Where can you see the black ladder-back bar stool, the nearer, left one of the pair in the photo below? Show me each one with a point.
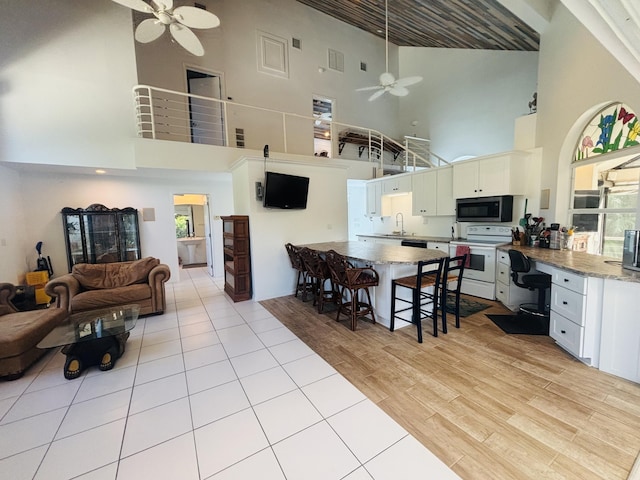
(425, 294)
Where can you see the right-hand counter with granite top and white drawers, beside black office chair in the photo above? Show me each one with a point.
(594, 308)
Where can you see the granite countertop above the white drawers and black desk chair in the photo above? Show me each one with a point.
(579, 262)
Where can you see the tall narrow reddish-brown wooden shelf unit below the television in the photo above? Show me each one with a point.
(237, 257)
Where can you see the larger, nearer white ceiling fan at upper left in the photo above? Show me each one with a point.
(180, 21)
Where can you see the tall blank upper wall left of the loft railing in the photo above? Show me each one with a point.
(67, 72)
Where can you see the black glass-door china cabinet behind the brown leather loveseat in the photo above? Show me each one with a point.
(98, 234)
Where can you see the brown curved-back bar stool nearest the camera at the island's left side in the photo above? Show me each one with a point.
(352, 279)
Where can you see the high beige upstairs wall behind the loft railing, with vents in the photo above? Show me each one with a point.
(231, 51)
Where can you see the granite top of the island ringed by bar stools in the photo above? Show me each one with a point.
(379, 254)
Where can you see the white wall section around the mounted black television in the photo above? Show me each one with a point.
(324, 219)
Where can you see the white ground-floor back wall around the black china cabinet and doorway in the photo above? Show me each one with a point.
(49, 193)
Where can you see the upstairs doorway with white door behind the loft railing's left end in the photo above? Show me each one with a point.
(206, 117)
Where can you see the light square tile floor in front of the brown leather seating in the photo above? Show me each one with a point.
(208, 390)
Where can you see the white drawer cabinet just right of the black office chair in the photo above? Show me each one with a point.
(576, 314)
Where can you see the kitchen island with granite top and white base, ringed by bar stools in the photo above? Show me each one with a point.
(390, 261)
